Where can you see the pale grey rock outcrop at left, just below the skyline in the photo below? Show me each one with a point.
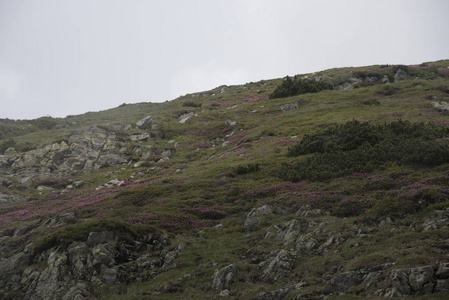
(92, 148)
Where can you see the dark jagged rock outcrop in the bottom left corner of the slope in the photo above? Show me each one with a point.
(74, 272)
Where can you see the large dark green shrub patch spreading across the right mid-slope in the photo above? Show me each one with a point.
(360, 147)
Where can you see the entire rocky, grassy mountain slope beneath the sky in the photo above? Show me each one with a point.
(194, 204)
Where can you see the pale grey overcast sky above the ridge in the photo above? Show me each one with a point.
(67, 57)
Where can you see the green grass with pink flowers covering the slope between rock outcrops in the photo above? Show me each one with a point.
(231, 156)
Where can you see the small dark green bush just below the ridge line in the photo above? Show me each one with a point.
(297, 86)
